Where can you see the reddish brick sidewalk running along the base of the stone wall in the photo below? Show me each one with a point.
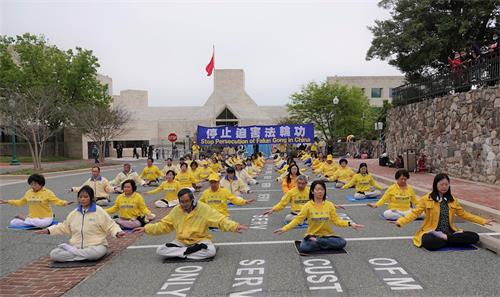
(483, 194)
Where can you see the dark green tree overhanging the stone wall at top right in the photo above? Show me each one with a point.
(421, 34)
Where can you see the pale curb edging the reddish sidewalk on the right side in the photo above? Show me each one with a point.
(486, 242)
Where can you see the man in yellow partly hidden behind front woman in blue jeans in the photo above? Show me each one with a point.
(297, 196)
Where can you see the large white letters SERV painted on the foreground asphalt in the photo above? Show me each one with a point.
(249, 279)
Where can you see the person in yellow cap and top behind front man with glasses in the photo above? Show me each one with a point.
(217, 197)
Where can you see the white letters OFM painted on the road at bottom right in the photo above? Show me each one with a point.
(391, 272)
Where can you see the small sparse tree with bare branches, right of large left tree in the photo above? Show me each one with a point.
(100, 123)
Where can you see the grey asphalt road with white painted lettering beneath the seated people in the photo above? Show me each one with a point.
(381, 259)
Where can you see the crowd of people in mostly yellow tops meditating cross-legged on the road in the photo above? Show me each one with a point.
(191, 219)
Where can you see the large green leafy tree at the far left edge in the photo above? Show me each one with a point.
(37, 73)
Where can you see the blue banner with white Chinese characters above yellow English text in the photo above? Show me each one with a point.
(244, 135)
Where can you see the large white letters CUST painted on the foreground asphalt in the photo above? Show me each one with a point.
(321, 278)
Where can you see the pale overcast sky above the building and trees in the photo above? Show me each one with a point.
(164, 46)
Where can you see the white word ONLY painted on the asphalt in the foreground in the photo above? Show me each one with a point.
(180, 281)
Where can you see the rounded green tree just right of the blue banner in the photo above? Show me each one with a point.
(314, 104)
